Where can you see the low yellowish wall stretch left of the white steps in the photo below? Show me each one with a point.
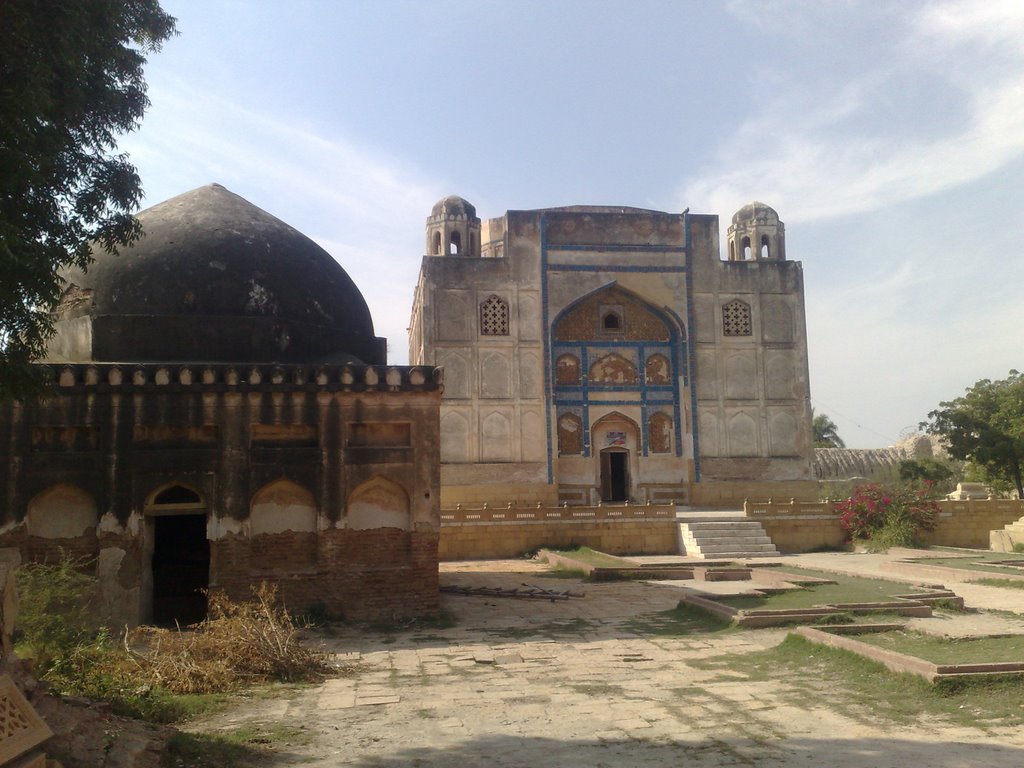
(476, 533)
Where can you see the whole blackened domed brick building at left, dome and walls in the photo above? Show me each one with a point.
(224, 415)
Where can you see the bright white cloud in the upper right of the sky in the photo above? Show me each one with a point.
(821, 157)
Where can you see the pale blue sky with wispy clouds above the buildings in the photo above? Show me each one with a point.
(888, 136)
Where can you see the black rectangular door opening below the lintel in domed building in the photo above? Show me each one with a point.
(181, 569)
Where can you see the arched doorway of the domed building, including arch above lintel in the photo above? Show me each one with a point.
(179, 554)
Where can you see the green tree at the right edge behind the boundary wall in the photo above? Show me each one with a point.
(987, 428)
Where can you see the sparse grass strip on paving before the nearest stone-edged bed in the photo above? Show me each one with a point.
(812, 675)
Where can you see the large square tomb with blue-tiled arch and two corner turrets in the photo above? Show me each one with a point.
(608, 355)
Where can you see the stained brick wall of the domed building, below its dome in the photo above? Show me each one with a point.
(322, 480)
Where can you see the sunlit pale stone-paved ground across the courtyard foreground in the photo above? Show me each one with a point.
(577, 684)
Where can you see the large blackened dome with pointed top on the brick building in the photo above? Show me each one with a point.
(215, 279)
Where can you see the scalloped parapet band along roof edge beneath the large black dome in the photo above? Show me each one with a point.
(243, 377)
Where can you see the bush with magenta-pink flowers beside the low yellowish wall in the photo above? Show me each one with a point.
(888, 519)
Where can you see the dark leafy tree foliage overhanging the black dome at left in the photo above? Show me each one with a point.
(71, 82)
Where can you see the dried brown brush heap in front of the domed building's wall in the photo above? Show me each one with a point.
(240, 645)
